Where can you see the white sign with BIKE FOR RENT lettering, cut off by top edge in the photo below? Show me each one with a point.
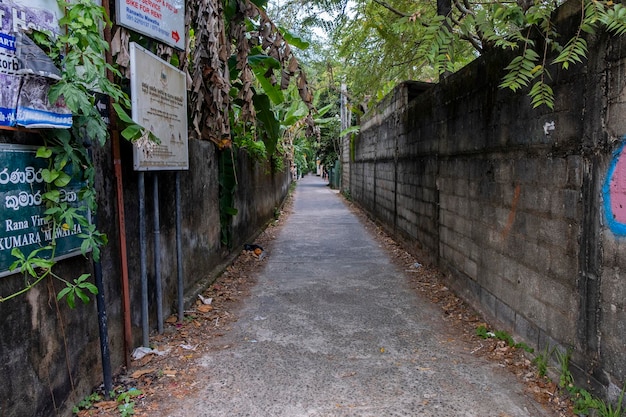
(163, 20)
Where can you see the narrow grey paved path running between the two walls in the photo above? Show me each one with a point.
(332, 329)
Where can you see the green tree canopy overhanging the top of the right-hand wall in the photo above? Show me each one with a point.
(374, 44)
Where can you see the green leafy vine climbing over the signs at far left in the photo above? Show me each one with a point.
(80, 52)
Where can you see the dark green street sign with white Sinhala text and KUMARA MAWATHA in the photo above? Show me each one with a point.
(22, 219)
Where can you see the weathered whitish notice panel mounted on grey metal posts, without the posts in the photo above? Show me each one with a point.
(159, 103)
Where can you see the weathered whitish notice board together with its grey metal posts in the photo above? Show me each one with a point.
(159, 103)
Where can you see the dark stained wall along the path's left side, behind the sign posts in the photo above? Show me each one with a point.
(50, 353)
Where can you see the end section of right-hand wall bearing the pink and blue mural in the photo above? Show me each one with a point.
(609, 275)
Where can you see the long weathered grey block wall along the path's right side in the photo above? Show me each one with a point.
(520, 207)
